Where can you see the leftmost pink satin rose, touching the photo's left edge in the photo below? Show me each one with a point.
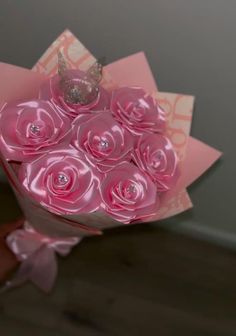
(29, 129)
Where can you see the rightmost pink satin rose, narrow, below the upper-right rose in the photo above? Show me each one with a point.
(154, 154)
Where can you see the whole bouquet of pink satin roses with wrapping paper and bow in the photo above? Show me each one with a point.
(88, 147)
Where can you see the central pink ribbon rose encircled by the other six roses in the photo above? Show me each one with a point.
(103, 140)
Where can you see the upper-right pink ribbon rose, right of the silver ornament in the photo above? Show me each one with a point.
(137, 111)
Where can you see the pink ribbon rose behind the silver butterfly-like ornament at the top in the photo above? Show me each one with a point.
(52, 90)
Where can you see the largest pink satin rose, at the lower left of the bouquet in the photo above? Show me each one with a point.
(62, 181)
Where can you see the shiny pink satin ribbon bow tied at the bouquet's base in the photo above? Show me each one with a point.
(37, 254)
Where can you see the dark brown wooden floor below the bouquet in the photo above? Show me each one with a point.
(140, 280)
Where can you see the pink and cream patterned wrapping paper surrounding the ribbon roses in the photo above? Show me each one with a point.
(195, 156)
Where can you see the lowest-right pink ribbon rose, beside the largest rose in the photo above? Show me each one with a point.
(129, 194)
